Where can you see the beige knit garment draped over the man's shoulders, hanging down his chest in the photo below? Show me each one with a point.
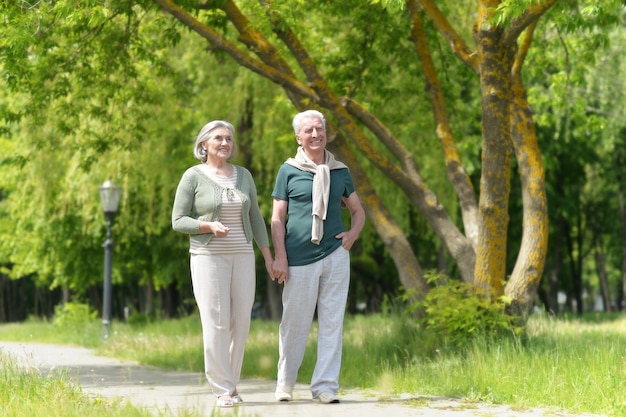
(321, 187)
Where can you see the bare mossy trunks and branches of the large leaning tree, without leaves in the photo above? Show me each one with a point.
(506, 126)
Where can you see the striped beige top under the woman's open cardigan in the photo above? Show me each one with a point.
(235, 241)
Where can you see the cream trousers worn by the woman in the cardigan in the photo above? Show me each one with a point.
(224, 287)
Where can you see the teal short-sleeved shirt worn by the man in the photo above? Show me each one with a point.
(296, 187)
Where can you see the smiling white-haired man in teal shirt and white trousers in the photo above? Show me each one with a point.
(311, 249)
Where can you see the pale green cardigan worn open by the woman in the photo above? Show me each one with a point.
(198, 198)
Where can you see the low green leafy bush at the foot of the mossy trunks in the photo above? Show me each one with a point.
(454, 314)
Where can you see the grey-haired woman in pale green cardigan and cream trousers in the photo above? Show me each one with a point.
(216, 205)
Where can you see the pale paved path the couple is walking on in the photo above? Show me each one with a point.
(157, 389)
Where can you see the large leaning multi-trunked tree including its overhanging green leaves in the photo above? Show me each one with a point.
(383, 53)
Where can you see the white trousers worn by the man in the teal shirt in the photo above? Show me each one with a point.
(323, 284)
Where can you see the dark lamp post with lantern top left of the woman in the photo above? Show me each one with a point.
(110, 197)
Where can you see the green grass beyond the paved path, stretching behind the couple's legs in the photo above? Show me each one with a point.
(576, 364)
